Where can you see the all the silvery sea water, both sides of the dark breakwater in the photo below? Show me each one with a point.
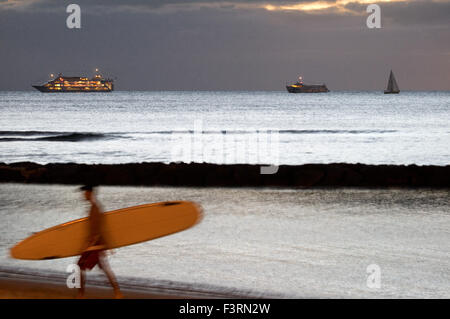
(293, 243)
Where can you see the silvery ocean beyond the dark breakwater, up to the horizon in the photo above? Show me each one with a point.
(226, 127)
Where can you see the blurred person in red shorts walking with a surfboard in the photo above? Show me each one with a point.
(94, 252)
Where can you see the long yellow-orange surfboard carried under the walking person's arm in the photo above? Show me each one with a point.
(122, 227)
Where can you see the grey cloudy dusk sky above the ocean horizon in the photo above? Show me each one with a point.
(227, 45)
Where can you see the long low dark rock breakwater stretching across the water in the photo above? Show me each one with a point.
(229, 175)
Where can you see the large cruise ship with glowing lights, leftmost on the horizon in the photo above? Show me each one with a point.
(69, 84)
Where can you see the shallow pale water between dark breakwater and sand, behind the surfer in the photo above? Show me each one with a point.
(255, 242)
